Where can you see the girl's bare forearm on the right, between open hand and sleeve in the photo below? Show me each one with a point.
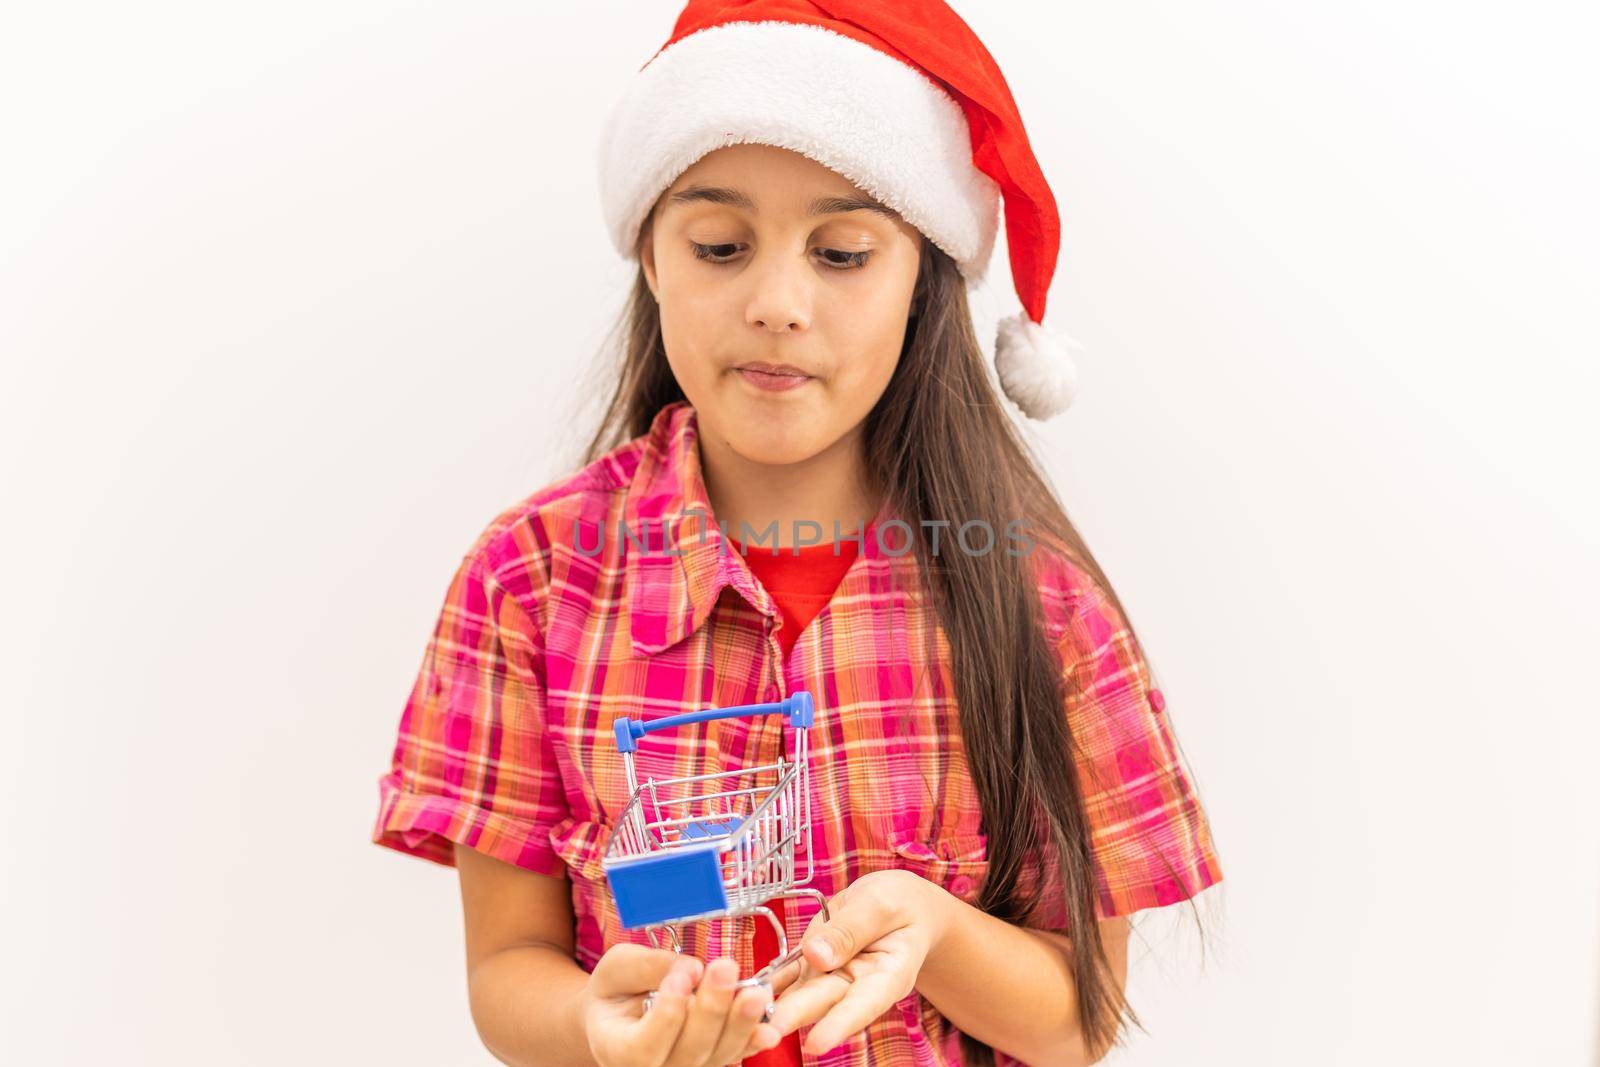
(1007, 986)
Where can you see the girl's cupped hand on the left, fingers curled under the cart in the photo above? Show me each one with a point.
(694, 1021)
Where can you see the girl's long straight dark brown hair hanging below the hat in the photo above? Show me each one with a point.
(942, 446)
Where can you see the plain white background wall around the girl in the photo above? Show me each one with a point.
(295, 297)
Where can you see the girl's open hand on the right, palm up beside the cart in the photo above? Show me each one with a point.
(868, 957)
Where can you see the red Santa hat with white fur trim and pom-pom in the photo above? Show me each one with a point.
(900, 98)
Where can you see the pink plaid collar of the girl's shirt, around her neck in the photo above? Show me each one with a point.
(676, 557)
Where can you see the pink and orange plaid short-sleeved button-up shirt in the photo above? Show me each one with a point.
(506, 740)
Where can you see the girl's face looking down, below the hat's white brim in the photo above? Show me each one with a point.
(764, 257)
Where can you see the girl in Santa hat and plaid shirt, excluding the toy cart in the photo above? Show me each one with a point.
(996, 788)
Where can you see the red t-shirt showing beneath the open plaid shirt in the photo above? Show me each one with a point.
(802, 583)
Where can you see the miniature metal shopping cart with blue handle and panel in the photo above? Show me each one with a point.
(714, 845)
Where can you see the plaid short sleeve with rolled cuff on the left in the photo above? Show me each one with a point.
(473, 762)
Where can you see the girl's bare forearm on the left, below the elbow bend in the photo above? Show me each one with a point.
(527, 1007)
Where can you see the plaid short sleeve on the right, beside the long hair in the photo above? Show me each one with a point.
(1150, 839)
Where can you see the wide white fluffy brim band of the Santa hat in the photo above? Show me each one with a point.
(846, 105)
